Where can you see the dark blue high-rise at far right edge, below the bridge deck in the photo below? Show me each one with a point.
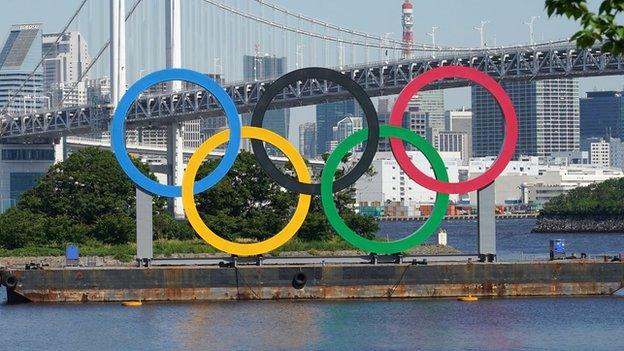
(602, 115)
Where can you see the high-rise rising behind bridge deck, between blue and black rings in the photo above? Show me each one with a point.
(259, 67)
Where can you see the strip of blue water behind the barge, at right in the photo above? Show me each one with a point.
(514, 239)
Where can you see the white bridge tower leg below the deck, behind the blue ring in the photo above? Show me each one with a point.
(175, 165)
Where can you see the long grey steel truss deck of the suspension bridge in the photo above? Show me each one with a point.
(378, 79)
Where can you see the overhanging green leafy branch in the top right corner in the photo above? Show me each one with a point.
(598, 26)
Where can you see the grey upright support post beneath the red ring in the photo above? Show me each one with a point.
(486, 219)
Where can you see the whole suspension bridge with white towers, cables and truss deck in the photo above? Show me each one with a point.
(380, 64)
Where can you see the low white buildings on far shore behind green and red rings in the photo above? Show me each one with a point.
(527, 181)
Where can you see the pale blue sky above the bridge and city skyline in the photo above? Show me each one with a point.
(455, 20)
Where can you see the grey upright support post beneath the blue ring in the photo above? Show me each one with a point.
(145, 237)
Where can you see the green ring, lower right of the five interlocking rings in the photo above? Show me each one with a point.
(402, 245)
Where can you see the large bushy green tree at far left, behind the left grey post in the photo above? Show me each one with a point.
(85, 197)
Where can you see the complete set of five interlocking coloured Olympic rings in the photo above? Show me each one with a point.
(303, 184)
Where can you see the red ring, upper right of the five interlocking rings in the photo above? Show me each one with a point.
(511, 129)
